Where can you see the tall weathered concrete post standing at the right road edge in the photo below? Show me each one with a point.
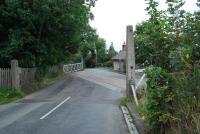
(130, 60)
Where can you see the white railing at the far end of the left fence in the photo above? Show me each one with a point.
(73, 67)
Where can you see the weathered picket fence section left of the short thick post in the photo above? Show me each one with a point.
(5, 77)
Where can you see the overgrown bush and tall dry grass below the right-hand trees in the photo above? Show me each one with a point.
(173, 101)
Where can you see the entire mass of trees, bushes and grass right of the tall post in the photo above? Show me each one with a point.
(170, 40)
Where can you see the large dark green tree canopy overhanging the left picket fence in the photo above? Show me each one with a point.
(42, 32)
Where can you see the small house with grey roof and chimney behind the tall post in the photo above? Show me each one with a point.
(119, 60)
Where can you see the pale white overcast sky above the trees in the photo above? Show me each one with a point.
(112, 17)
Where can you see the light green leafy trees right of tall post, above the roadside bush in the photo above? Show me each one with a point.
(169, 38)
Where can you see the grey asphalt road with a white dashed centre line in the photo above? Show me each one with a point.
(84, 103)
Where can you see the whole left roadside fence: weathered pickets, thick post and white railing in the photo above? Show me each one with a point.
(16, 77)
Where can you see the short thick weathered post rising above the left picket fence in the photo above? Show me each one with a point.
(15, 74)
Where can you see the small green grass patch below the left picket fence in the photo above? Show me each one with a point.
(8, 95)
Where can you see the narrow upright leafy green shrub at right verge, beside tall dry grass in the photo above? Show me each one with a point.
(159, 98)
